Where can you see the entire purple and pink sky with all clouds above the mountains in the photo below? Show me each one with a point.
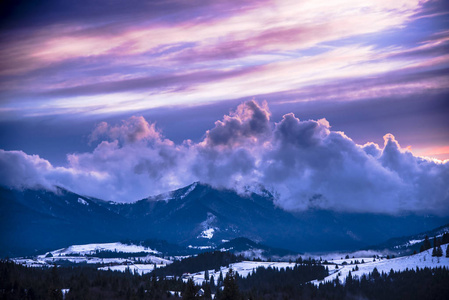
(338, 105)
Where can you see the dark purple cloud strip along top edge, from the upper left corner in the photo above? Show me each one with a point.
(30, 13)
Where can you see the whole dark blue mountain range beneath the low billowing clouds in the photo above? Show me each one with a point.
(197, 216)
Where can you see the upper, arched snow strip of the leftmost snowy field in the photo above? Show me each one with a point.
(92, 248)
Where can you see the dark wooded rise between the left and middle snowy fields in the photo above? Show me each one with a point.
(204, 261)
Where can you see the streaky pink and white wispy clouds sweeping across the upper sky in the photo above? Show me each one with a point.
(197, 51)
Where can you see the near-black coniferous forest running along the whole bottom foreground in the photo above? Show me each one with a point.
(19, 282)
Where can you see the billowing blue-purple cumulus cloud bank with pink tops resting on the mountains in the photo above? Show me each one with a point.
(303, 162)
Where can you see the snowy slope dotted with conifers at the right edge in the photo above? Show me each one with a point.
(420, 260)
